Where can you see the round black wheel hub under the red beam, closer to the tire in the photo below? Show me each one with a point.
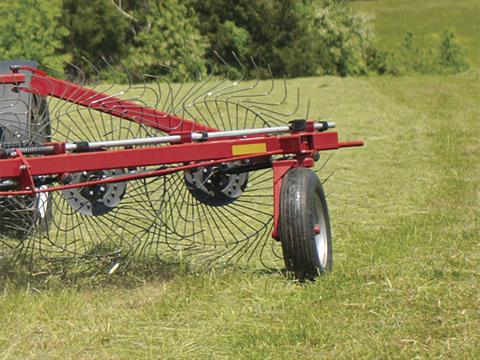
(216, 185)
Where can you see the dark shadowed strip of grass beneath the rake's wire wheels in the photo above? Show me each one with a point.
(127, 272)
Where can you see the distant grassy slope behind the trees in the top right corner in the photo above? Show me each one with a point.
(429, 18)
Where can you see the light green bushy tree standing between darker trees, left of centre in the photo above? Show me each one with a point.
(167, 37)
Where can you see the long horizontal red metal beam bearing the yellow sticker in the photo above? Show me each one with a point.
(181, 153)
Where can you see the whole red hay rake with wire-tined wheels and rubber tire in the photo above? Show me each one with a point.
(101, 176)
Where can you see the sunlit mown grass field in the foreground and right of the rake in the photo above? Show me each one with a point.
(406, 281)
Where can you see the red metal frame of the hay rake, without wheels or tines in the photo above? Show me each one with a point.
(187, 145)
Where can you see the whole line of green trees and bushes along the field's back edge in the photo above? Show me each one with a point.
(286, 37)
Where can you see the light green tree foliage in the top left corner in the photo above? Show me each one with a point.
(30, 30)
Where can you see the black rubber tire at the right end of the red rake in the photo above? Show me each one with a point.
(298, 217)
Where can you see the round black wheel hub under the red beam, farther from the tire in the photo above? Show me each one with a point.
(97, 199)
